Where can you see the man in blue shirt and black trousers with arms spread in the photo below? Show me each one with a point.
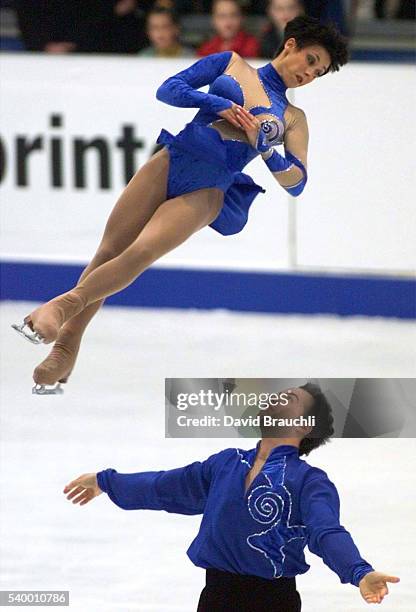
(260, 509)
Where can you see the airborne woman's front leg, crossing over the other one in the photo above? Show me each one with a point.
(173, 222)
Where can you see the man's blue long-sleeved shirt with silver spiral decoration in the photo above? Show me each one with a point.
(262, 531)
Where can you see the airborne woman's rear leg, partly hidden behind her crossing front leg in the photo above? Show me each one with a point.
(139, 200)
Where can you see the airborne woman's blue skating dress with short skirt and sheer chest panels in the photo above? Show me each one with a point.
(209, 151)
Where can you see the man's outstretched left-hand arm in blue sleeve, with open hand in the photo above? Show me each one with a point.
(181, 490)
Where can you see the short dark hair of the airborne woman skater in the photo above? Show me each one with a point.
(309, 31)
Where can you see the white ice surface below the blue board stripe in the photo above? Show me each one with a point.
(112, 415)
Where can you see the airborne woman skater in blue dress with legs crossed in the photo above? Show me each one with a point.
(196, 179)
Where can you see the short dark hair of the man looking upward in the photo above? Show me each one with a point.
(323, 429)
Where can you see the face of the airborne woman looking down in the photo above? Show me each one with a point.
(301, 66)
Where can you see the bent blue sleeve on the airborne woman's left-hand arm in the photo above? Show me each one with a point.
(182, 88)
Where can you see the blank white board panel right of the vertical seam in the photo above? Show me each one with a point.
(360, 199)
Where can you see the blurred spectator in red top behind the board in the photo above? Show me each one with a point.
(227, 19)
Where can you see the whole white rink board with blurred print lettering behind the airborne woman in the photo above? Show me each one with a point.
(357, 211)
